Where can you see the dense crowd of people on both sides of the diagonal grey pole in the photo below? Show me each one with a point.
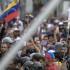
(48, 49)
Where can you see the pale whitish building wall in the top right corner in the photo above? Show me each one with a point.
(63, 7)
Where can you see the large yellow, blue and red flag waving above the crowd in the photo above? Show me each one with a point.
(11, 11)
